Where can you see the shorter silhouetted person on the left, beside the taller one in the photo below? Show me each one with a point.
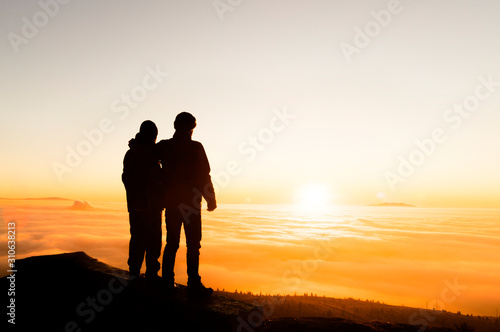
(141, 177)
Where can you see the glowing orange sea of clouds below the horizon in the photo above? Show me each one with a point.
(396, 255)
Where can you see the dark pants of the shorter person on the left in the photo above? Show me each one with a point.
(145, 239)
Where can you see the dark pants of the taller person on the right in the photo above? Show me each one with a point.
(176, 215)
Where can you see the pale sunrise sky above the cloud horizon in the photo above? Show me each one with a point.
(366, 101)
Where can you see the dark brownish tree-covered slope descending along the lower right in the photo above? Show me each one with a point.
(362, 311)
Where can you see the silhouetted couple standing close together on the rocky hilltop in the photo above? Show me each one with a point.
(173, 174)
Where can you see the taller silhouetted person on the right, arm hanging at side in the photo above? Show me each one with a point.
(187, 179)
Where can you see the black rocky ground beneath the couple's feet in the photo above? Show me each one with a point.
(75, 292)
